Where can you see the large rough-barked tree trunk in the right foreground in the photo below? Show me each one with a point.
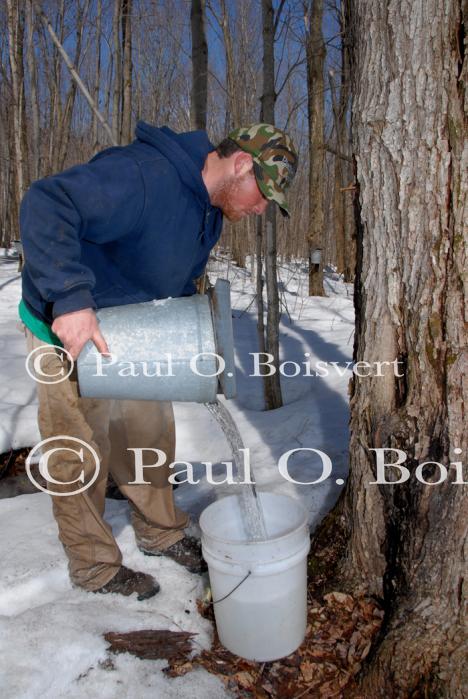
(406, 541)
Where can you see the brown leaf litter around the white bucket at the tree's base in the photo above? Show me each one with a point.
(339, 635)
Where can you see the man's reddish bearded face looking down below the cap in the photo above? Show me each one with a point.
(239, 196)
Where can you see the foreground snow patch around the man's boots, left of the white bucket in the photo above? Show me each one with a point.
(51, 635)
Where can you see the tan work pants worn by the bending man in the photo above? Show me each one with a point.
(110, 428)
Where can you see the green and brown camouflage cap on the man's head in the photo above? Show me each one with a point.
(274, 159)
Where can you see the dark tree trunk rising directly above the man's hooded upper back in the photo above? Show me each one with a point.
(199, 65)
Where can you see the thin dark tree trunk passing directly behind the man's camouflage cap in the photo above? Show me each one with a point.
(273, 397)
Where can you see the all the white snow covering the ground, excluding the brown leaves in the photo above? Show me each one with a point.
(51, 642)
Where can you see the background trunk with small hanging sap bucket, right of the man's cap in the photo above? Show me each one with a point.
(315, 51)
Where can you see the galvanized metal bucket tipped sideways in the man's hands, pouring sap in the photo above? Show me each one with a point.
(178, 349)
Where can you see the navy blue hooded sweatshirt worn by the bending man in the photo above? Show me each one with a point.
(134, 224)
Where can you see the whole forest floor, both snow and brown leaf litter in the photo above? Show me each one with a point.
(44, 619)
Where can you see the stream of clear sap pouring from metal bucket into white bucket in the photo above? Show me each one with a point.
(253, 518)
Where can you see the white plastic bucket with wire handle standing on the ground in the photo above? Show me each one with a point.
(259, 588)
